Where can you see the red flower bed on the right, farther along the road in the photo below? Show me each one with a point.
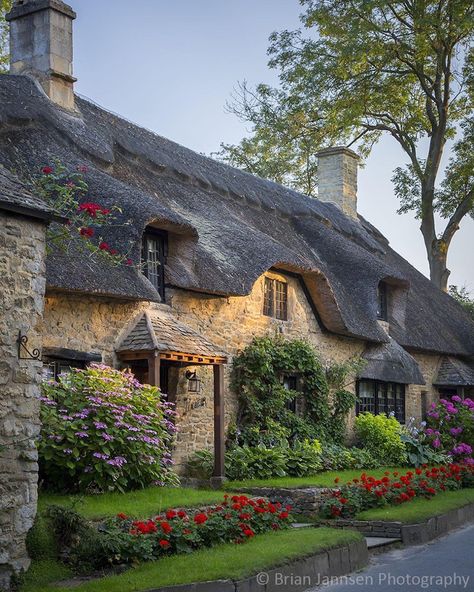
(393, 488)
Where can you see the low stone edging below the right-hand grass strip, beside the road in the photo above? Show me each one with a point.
(410, 534)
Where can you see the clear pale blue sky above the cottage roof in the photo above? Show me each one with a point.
(171, 66)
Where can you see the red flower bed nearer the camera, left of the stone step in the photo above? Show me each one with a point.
(236, 519)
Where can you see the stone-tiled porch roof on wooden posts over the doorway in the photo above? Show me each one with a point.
(161, 331)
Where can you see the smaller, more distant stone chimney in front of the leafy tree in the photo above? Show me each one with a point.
(337, 174)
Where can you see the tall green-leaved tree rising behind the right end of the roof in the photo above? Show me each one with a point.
(362, 68)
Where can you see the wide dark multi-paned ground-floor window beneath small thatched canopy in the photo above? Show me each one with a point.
(387, 397)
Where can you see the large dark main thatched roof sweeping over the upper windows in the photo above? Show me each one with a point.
(226, 227)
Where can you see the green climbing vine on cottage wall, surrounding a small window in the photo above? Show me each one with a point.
(267, 405)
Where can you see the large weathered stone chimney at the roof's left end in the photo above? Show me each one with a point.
(41, 46)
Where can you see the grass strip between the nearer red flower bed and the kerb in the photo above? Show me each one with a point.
(227, 561)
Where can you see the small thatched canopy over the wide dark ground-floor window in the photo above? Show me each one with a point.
(391, 363)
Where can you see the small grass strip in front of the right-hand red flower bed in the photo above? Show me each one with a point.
(419, 510)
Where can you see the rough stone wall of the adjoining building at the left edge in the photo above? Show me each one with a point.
(22, 273)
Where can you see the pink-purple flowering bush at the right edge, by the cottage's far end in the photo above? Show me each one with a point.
(451, 428)
